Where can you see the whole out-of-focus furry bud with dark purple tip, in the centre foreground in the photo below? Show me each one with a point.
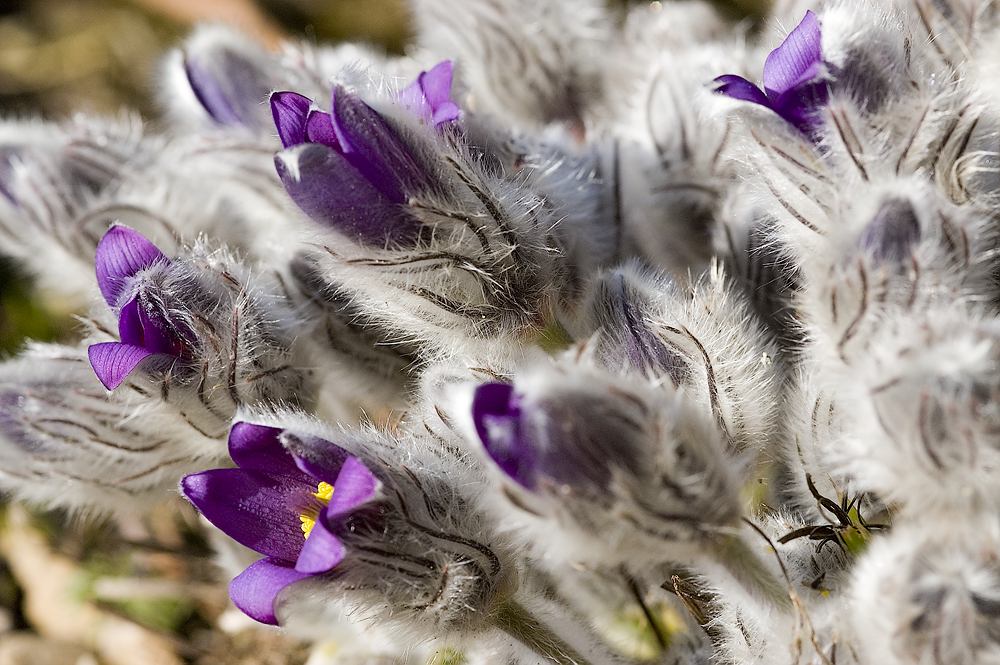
(593, 456)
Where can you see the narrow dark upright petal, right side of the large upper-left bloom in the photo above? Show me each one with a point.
(375, 149)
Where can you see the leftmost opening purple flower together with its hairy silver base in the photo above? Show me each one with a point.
(205, 334)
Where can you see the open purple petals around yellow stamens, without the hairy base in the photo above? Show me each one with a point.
(282, 506)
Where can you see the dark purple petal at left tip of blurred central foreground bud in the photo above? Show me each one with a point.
(496, 415)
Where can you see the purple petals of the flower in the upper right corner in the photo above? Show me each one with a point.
(794, 86)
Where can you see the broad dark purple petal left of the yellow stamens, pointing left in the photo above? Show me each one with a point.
(258, 509)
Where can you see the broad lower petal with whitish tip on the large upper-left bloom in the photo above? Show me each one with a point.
(333, 193)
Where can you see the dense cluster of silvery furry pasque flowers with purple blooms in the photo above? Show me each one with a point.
(560, 319)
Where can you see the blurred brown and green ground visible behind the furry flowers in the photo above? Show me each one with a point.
(80, 592)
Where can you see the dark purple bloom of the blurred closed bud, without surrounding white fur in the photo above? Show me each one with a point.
(568, 435)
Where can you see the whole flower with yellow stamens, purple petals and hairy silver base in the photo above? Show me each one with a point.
(384, 514)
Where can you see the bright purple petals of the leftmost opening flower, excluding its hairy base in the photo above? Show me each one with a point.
(144, 330)
